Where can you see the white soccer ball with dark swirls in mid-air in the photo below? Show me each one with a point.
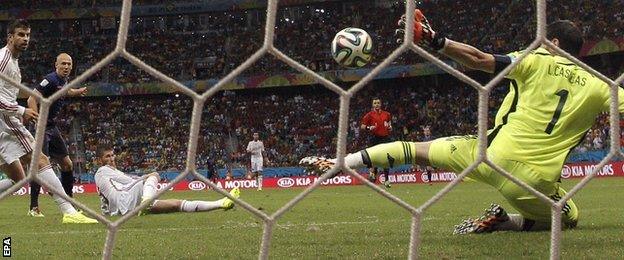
(352, 47)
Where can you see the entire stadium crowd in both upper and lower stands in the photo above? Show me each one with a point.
(152, 132)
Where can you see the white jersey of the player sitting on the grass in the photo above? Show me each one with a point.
(119, 192)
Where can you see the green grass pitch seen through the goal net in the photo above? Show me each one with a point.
(331, 223)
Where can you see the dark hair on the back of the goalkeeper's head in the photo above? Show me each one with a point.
(569, 35)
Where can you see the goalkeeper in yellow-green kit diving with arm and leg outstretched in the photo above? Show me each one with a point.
(550, 105)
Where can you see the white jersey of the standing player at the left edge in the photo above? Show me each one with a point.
(9, 67)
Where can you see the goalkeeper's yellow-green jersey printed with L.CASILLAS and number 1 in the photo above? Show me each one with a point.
(551, 104)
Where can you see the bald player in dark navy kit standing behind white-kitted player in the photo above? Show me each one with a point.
(53, 144)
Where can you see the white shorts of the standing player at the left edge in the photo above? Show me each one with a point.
(15, 140)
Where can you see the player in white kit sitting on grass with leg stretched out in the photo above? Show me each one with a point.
(120, 192)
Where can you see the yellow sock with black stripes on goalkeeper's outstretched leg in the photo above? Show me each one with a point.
(389, 155)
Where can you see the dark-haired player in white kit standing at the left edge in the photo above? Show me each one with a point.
(15, 141)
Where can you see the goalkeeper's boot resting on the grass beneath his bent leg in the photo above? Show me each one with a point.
(493, 216)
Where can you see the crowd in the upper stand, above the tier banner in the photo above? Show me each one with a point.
(209, 45)
